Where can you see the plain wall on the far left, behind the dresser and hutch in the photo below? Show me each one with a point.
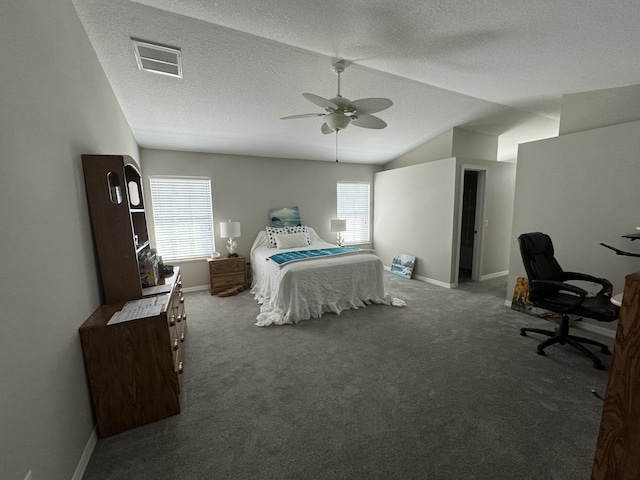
(55, 104)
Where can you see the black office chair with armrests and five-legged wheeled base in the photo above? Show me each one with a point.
(548, 290)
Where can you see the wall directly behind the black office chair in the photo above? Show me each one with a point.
(582, 189)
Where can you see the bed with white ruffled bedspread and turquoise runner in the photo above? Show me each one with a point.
(301, 289)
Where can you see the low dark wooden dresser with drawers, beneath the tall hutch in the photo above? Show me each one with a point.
(134, 367)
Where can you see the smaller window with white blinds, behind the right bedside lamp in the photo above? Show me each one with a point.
(353, 206)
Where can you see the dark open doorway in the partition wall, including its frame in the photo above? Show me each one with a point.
(471, 213)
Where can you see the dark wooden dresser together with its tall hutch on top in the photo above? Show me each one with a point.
(134, 367)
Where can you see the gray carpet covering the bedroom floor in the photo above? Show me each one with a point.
(445, 388)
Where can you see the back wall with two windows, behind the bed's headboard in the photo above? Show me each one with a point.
(245, 188)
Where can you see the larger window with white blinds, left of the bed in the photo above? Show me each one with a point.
(183, 217)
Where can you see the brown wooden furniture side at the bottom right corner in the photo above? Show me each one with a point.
(618, 450)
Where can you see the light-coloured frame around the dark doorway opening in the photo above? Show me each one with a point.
(480, 222)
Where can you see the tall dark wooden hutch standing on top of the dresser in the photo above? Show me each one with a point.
(116, 204)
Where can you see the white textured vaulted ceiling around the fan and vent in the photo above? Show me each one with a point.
(493, 66)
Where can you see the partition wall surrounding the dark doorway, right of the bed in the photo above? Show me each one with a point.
(416, 212)
